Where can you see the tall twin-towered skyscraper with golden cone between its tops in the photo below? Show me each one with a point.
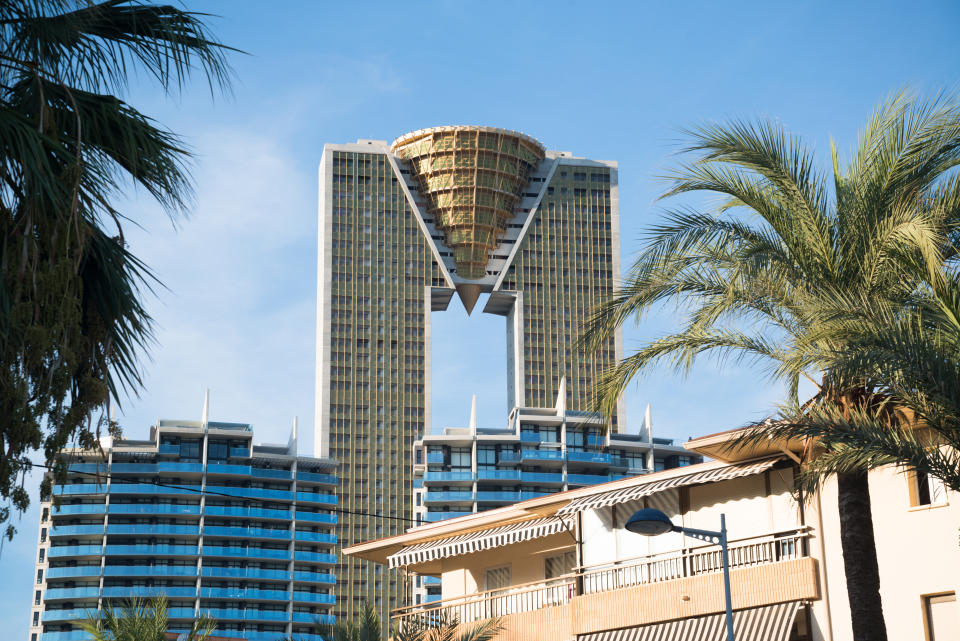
(404, 227)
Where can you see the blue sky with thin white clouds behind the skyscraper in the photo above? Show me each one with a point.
(601, 79)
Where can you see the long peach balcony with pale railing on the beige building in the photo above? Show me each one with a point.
(587, 594)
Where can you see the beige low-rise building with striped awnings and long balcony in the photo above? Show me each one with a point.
(562, 567)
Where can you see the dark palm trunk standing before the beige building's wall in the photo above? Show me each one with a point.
(860, 557)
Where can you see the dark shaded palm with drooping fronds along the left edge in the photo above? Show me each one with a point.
(72, 320)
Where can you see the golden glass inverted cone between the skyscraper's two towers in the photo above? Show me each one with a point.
(471, 179)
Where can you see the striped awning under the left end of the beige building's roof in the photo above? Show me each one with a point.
(477, 541)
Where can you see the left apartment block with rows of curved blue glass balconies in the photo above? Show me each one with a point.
(196, 513)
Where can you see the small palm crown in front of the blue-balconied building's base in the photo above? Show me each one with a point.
(139, 620)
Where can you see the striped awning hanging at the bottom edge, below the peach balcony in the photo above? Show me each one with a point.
(767, 623)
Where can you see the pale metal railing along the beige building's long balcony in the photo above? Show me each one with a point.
(761, 550)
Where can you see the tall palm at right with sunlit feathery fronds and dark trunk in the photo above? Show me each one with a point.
(757, 273)
